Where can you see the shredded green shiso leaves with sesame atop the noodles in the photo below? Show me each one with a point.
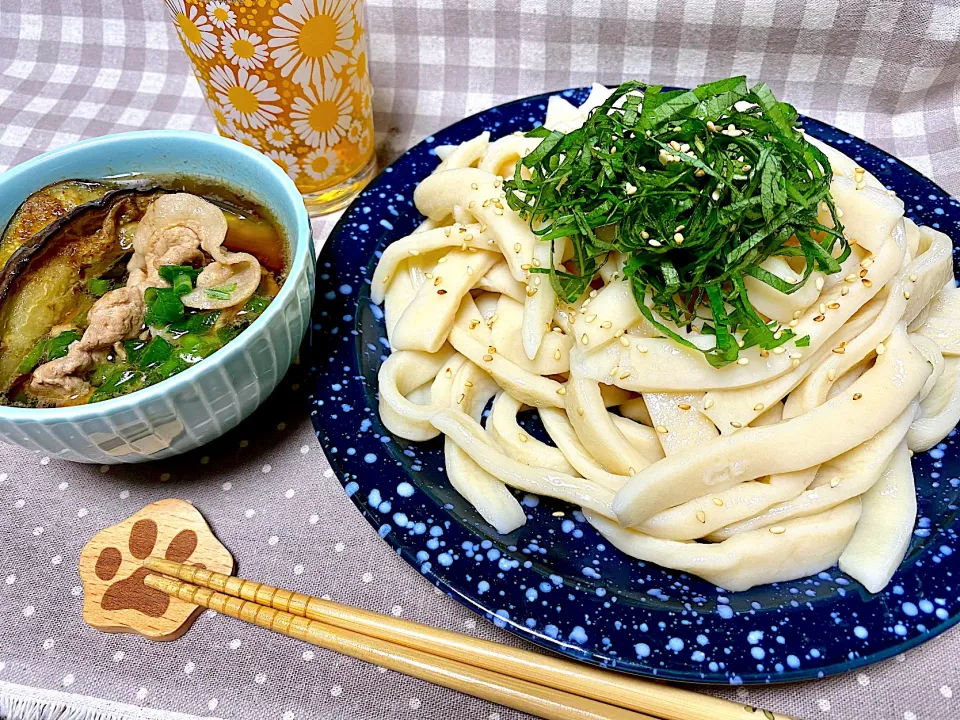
(696, 192)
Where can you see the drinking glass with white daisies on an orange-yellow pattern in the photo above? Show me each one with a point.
(289, 78)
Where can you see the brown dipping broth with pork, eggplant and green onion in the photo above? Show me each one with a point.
(108, 287)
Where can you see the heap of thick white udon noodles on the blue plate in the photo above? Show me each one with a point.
(770, 469)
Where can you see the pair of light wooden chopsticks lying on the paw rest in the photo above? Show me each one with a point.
(537, 684)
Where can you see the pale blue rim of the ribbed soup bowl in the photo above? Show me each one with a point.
(301, 256)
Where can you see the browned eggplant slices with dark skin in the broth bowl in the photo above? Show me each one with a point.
(42, 282)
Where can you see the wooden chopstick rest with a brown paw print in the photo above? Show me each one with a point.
(115, 598)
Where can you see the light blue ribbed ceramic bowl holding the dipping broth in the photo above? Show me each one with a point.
(210, 398)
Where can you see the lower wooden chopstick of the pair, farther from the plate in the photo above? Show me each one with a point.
(513, 692)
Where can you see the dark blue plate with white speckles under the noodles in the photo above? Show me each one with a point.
(554, 581)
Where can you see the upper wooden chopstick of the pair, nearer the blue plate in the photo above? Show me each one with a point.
(663, 701)
